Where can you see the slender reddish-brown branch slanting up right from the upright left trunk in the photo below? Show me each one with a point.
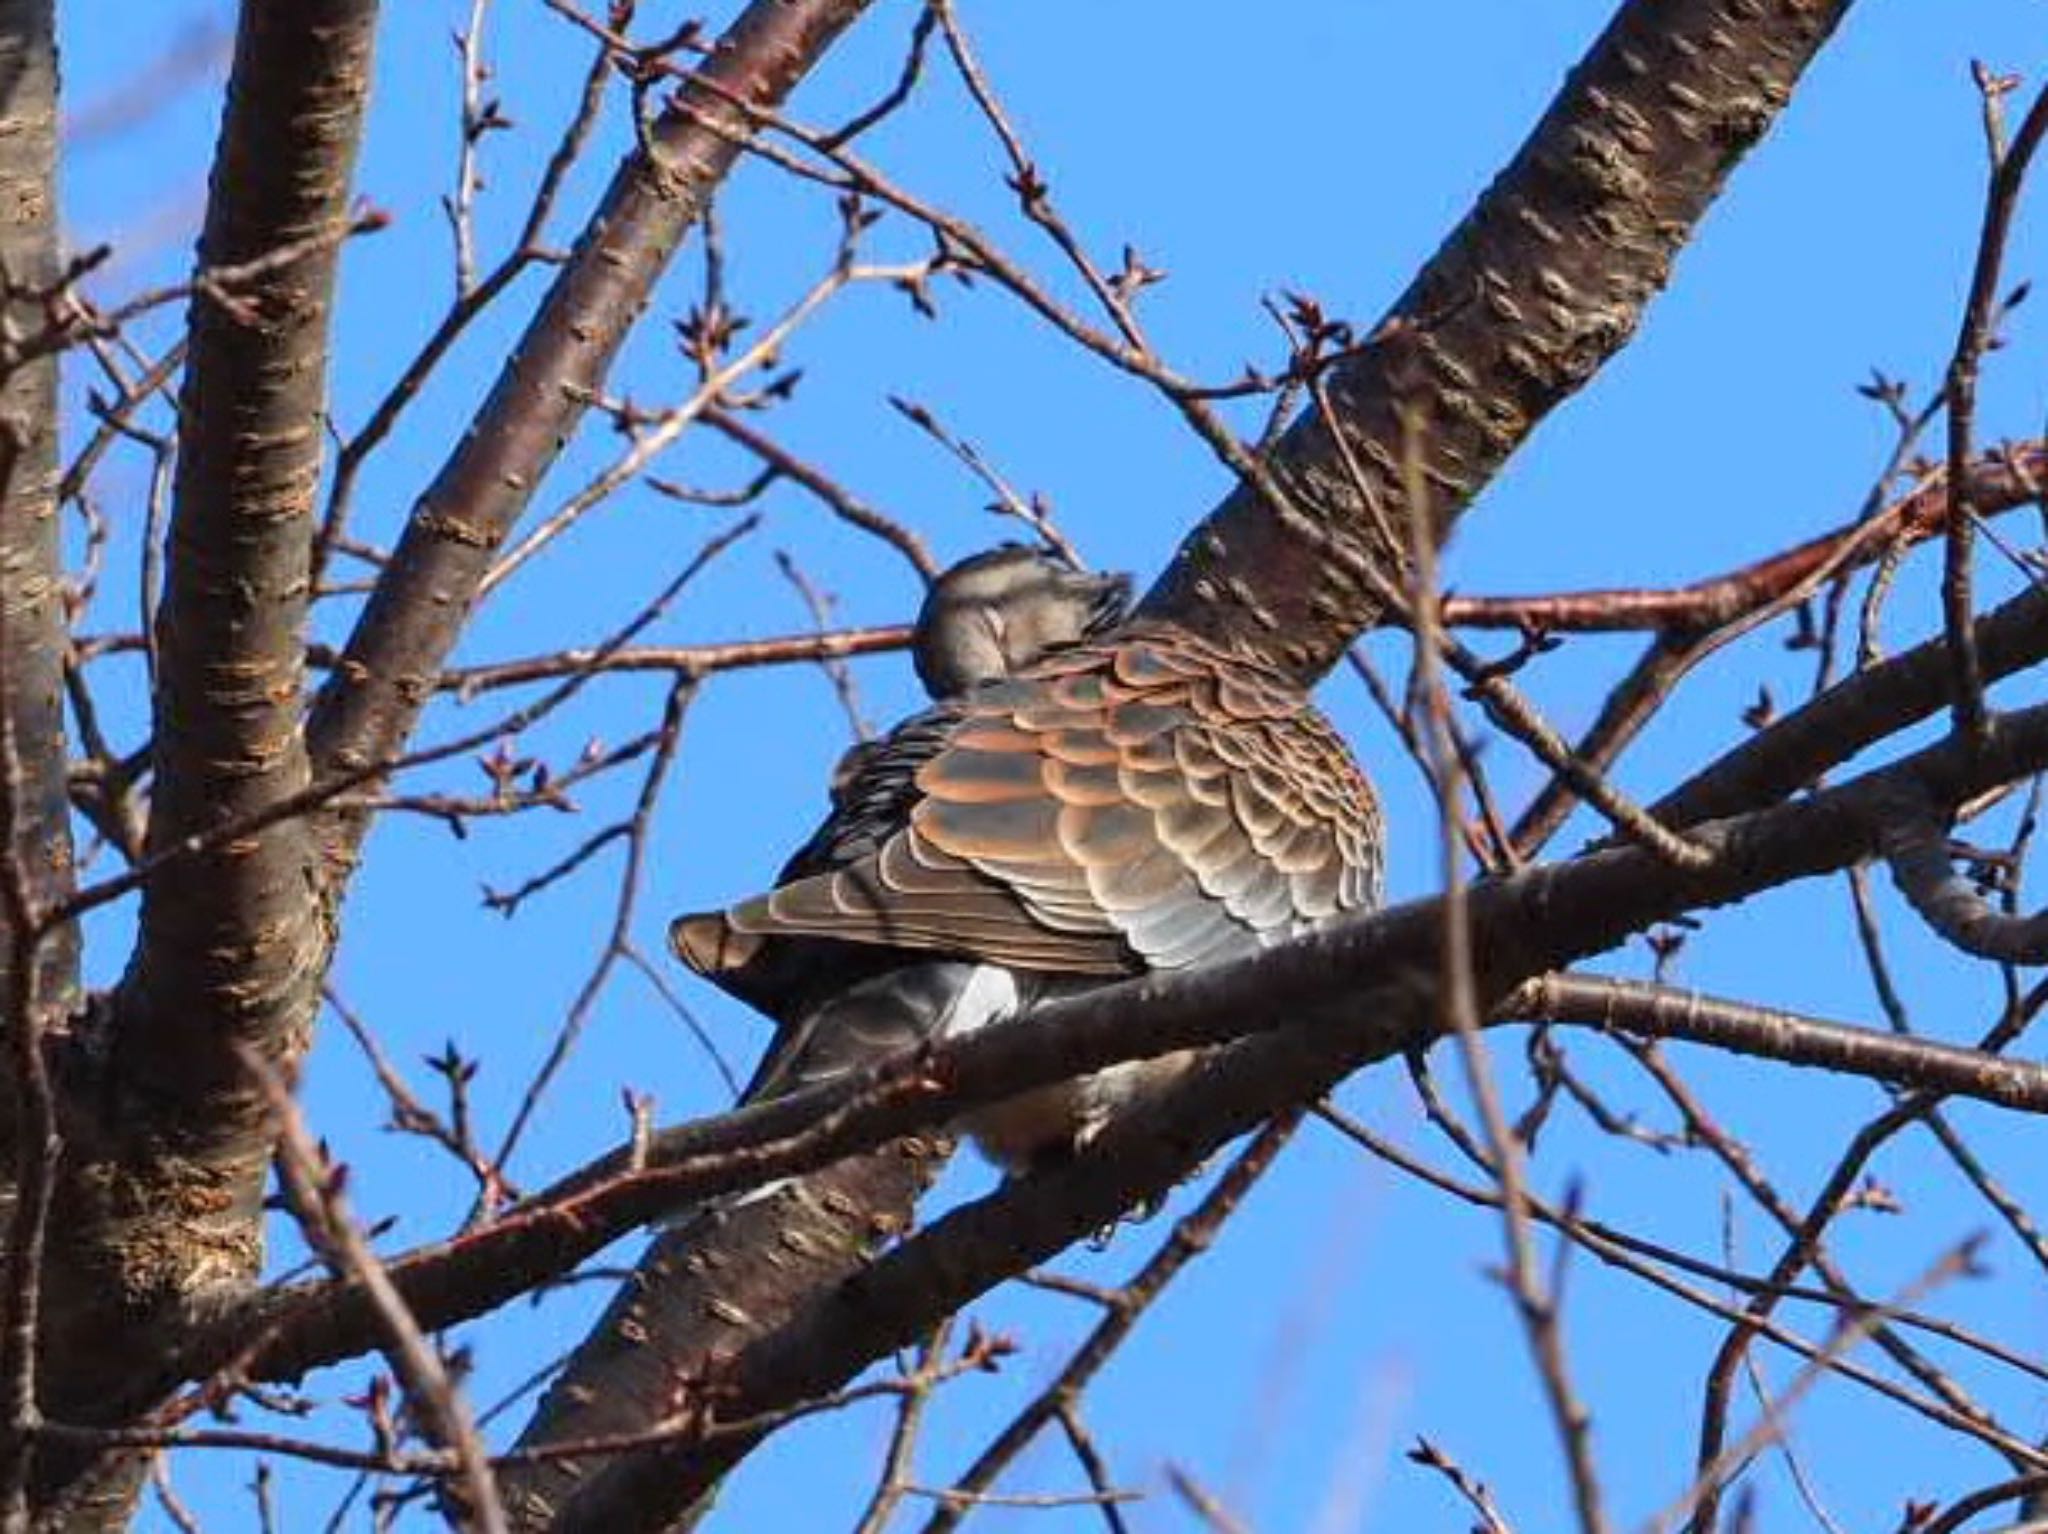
(394, 658)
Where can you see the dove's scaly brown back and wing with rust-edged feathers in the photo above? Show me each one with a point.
(1146, 804)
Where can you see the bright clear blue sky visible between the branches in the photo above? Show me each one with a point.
(1322, 148)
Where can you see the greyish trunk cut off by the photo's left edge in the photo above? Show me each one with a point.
(32, 587)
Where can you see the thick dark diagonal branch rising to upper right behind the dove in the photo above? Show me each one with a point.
(1539, 286)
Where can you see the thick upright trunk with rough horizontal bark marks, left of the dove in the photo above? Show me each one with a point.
(163, 1199)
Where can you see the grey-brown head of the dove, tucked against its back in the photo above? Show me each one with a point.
(998, 611)
